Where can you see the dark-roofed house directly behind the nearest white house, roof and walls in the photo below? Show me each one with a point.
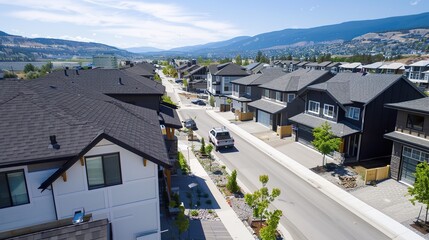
(123, 86)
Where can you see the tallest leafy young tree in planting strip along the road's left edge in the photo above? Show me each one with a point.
(261, 199)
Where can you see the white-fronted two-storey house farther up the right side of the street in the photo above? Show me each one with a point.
(219, 78)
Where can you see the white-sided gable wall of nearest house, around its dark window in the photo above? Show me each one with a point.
(132, 207)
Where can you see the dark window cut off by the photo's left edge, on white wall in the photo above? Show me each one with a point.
(13, 189)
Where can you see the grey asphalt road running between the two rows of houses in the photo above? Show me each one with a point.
(309, 214)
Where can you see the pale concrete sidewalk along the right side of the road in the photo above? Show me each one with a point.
(382, 222)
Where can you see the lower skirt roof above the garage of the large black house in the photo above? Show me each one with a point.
(338, 129)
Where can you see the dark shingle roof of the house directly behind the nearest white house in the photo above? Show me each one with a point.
(105, 81)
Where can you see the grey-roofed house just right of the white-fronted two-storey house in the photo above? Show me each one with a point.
(246, 90)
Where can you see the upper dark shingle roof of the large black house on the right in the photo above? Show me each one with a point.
(355, 87)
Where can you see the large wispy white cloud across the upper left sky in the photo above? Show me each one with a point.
(149, 24)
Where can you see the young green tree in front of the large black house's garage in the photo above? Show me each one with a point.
(324, 140)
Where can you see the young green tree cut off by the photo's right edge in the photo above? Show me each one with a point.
(420, 189)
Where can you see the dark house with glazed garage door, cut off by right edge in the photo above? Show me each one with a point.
(410, 138)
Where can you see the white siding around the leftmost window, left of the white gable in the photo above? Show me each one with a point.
(39, 210)
